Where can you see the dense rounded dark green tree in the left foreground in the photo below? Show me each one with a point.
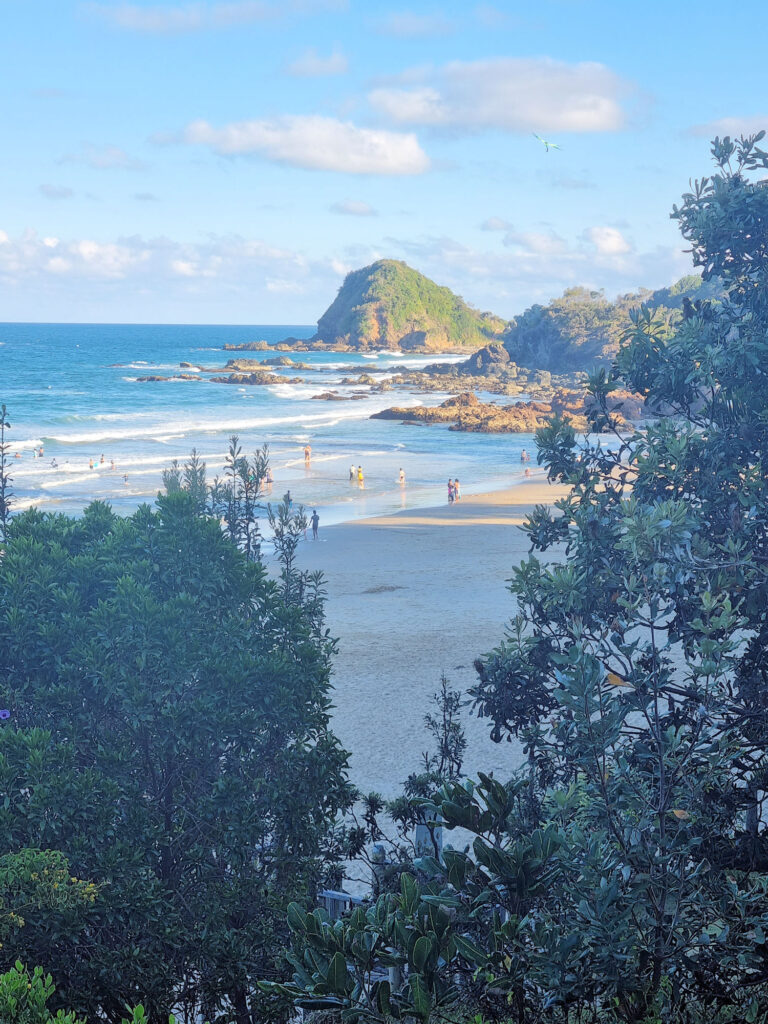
(170, 736)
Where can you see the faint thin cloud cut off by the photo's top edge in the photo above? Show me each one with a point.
(169, 19)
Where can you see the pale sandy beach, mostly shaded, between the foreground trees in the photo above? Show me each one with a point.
(411, 596)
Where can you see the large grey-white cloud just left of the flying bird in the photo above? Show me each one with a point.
(516, 95)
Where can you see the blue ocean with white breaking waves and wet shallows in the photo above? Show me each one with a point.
(73, 390)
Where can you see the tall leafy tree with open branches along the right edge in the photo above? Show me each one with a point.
(623, 875)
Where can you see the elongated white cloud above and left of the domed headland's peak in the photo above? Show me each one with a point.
(316, 144)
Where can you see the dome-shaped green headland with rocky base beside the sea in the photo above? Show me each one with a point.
(390, 306)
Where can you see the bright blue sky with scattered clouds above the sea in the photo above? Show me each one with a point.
(230, 161)
